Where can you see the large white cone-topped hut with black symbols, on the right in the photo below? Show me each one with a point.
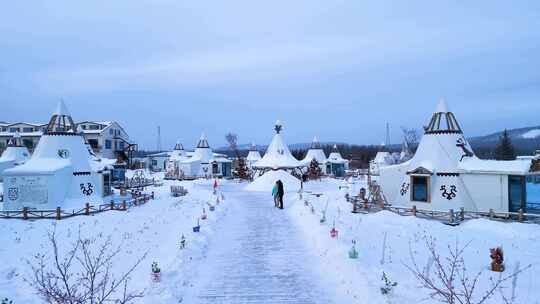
(445, 174)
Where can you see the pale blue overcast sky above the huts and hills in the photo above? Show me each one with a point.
(336, 69)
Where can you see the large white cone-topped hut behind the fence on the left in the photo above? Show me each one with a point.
(58, 174)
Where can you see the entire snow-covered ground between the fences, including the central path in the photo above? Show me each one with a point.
(250, 252)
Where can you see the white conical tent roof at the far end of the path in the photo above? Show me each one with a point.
(277, 154)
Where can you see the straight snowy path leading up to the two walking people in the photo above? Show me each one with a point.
(257, 256)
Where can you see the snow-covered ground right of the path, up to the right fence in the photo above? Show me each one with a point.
(361, 278)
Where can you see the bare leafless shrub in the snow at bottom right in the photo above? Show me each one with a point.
(448, 280)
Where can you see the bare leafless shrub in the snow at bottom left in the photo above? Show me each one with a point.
(82, 275)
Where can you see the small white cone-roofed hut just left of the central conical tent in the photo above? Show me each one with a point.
(203, 162)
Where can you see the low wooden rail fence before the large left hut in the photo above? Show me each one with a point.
(58, 213)
